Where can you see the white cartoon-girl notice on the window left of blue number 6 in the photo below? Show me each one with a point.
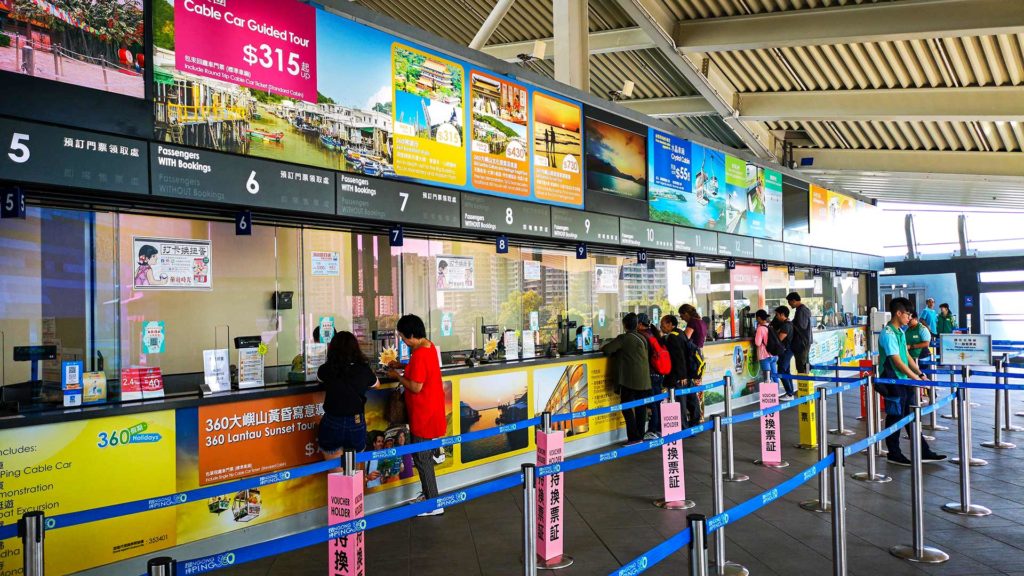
(164, 264)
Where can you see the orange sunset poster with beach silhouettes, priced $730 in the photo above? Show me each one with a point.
(558, 150)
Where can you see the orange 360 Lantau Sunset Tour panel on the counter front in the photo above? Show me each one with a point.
(243, 439)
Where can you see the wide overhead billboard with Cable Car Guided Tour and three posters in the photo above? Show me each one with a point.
(290, 81)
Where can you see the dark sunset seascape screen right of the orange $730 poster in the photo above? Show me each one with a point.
(616, 160)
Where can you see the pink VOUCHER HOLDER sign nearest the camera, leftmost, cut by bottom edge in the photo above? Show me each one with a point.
(347, 556)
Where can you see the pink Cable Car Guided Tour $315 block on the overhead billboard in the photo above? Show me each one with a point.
(269, 46)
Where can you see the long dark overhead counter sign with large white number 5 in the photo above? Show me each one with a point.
(49, 155)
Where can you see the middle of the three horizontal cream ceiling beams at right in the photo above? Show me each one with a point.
(941, 105)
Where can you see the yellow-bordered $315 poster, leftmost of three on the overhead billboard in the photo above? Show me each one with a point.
(429, 115)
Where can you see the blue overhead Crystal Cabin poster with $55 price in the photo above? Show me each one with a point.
(704, 205)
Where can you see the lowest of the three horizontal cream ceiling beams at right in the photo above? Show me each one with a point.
(977, 163)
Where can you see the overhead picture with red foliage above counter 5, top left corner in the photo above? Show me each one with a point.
(91, 44)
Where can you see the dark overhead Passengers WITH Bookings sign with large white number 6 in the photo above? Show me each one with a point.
(209, 177)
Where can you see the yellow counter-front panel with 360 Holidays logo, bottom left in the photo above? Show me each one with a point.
(70, 467)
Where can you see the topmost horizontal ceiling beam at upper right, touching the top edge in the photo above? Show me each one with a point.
(905, 20)
